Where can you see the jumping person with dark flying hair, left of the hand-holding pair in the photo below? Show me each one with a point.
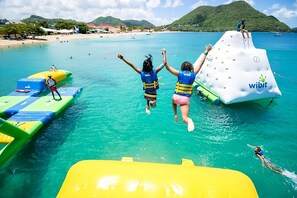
(149, 78)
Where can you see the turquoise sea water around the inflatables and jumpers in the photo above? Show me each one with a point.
(108, 120)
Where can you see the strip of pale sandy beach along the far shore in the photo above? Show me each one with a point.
(60, 38)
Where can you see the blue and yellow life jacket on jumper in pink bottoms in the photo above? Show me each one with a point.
(184, 83)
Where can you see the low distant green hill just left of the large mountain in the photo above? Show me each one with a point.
(118, 22)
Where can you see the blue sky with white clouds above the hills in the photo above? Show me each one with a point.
(158, 12)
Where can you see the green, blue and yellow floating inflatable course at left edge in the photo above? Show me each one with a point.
(29, 107)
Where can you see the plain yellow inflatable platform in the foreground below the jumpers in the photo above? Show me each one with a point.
(107, 178)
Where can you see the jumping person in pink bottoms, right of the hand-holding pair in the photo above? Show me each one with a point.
(183, 89)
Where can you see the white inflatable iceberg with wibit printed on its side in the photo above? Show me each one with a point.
(235, 71)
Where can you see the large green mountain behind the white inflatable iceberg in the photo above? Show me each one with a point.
(226, 17)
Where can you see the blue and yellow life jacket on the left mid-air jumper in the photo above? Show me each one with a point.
(150, 80)
